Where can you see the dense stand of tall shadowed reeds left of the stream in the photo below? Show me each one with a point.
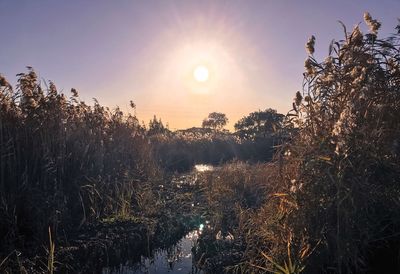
(64, 163)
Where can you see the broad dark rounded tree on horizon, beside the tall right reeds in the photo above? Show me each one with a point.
(259, 123)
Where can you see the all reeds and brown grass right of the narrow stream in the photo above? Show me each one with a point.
(329, 203)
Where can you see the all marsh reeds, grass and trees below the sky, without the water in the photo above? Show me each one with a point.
(84, 188)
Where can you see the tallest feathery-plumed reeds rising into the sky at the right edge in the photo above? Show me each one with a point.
(349, 127)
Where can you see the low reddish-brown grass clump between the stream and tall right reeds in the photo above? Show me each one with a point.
(235, 188)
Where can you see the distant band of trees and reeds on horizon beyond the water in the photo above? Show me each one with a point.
(255, 138)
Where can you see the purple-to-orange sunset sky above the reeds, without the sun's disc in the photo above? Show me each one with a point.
(146, 51)
